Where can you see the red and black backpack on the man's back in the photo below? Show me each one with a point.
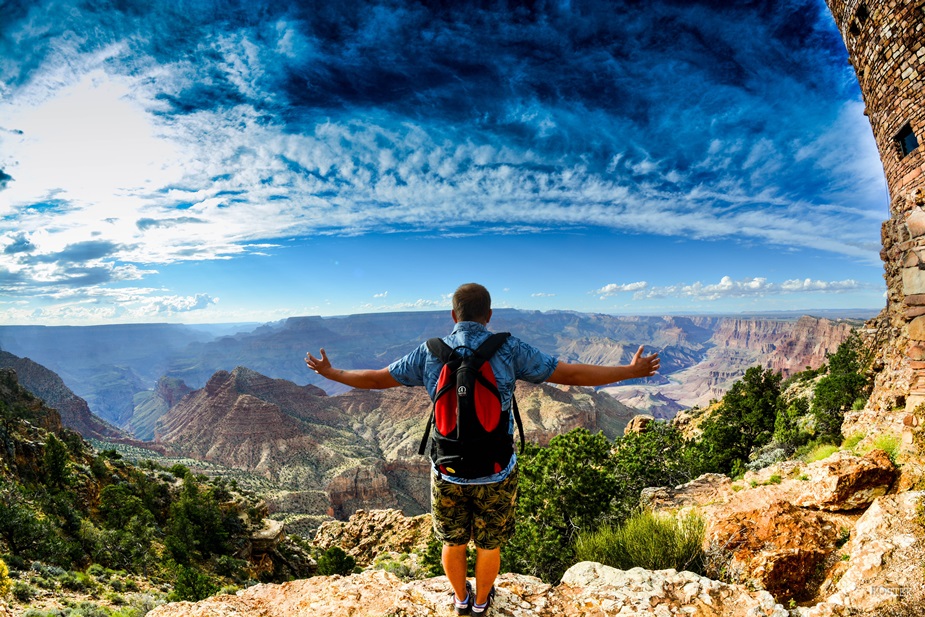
(471, 437)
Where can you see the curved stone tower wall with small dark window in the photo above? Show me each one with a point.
(886, 46)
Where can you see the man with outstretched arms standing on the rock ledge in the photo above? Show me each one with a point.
(481, 509)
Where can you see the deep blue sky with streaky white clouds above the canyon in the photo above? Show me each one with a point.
(215, 162)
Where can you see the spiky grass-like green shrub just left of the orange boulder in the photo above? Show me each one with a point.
(647, 540)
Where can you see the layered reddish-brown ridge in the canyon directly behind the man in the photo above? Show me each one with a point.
(359, 448)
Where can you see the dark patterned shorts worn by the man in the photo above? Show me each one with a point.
(483, 512)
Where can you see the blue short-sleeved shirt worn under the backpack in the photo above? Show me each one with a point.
(514, 360)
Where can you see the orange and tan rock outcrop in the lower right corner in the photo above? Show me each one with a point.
(833, 534)
